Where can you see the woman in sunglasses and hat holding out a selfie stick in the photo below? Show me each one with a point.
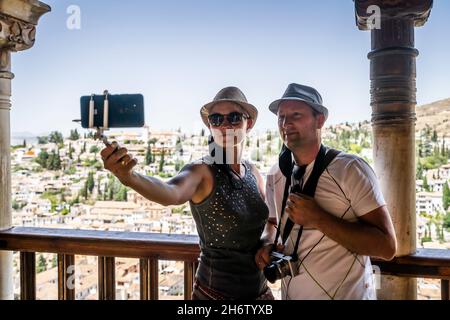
(225, 194)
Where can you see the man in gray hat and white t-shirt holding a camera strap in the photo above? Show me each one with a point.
(342, 226)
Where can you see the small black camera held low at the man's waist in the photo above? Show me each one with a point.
(280, 267)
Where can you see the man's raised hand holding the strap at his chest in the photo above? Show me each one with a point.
(303, 210)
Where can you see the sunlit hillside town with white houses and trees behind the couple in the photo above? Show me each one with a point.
(60, 182)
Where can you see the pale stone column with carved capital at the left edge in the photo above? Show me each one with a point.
(18, 20)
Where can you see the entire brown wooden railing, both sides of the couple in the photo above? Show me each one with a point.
(149, 248)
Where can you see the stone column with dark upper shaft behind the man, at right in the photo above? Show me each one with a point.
(393, 101)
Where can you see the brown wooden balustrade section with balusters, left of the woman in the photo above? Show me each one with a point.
(106, 245)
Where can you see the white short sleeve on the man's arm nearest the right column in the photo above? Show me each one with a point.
(361, 187)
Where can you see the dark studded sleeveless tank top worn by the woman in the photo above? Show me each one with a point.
(230, 222)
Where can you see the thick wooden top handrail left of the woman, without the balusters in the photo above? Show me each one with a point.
(101, 243)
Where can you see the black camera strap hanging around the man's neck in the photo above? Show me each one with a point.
(322, 161)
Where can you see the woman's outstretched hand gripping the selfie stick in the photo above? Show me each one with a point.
(118, 161)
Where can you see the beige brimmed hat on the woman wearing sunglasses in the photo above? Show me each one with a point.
(229, 94)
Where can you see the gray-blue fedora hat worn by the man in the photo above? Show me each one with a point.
(298, 92)
